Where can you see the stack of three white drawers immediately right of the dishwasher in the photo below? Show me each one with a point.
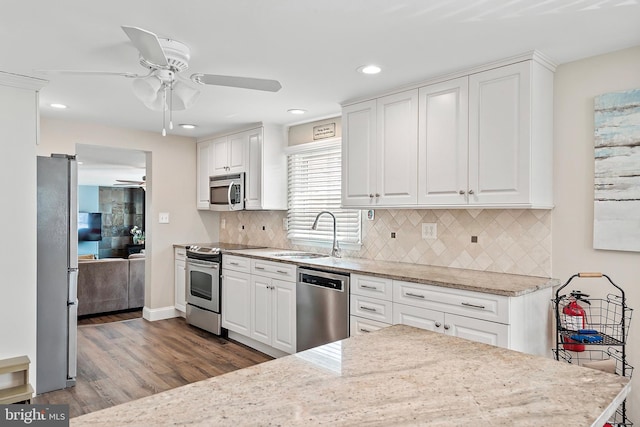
(371, 304)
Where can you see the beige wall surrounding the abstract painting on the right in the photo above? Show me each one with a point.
(576, 84)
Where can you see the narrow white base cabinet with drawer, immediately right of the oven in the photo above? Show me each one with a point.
(236, 294)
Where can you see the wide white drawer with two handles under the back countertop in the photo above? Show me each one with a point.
(494, 308)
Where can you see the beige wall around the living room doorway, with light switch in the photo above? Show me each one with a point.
(171, 187)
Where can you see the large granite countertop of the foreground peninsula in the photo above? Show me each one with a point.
(398, 375)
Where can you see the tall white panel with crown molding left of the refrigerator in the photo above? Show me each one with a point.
(18, 121)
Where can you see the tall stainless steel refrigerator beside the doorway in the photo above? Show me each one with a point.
(57, 304)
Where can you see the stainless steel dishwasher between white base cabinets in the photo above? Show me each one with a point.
(322, 308)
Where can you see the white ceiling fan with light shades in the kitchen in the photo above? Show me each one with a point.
(163, 88)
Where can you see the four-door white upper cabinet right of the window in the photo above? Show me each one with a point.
(485, 139)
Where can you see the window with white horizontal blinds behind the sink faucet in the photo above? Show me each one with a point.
(315, 174)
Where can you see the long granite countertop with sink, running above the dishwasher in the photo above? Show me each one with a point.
(473, 280)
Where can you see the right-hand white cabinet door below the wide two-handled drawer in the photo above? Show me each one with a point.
(477, 330)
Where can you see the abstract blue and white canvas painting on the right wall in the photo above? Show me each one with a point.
(617, 171)
